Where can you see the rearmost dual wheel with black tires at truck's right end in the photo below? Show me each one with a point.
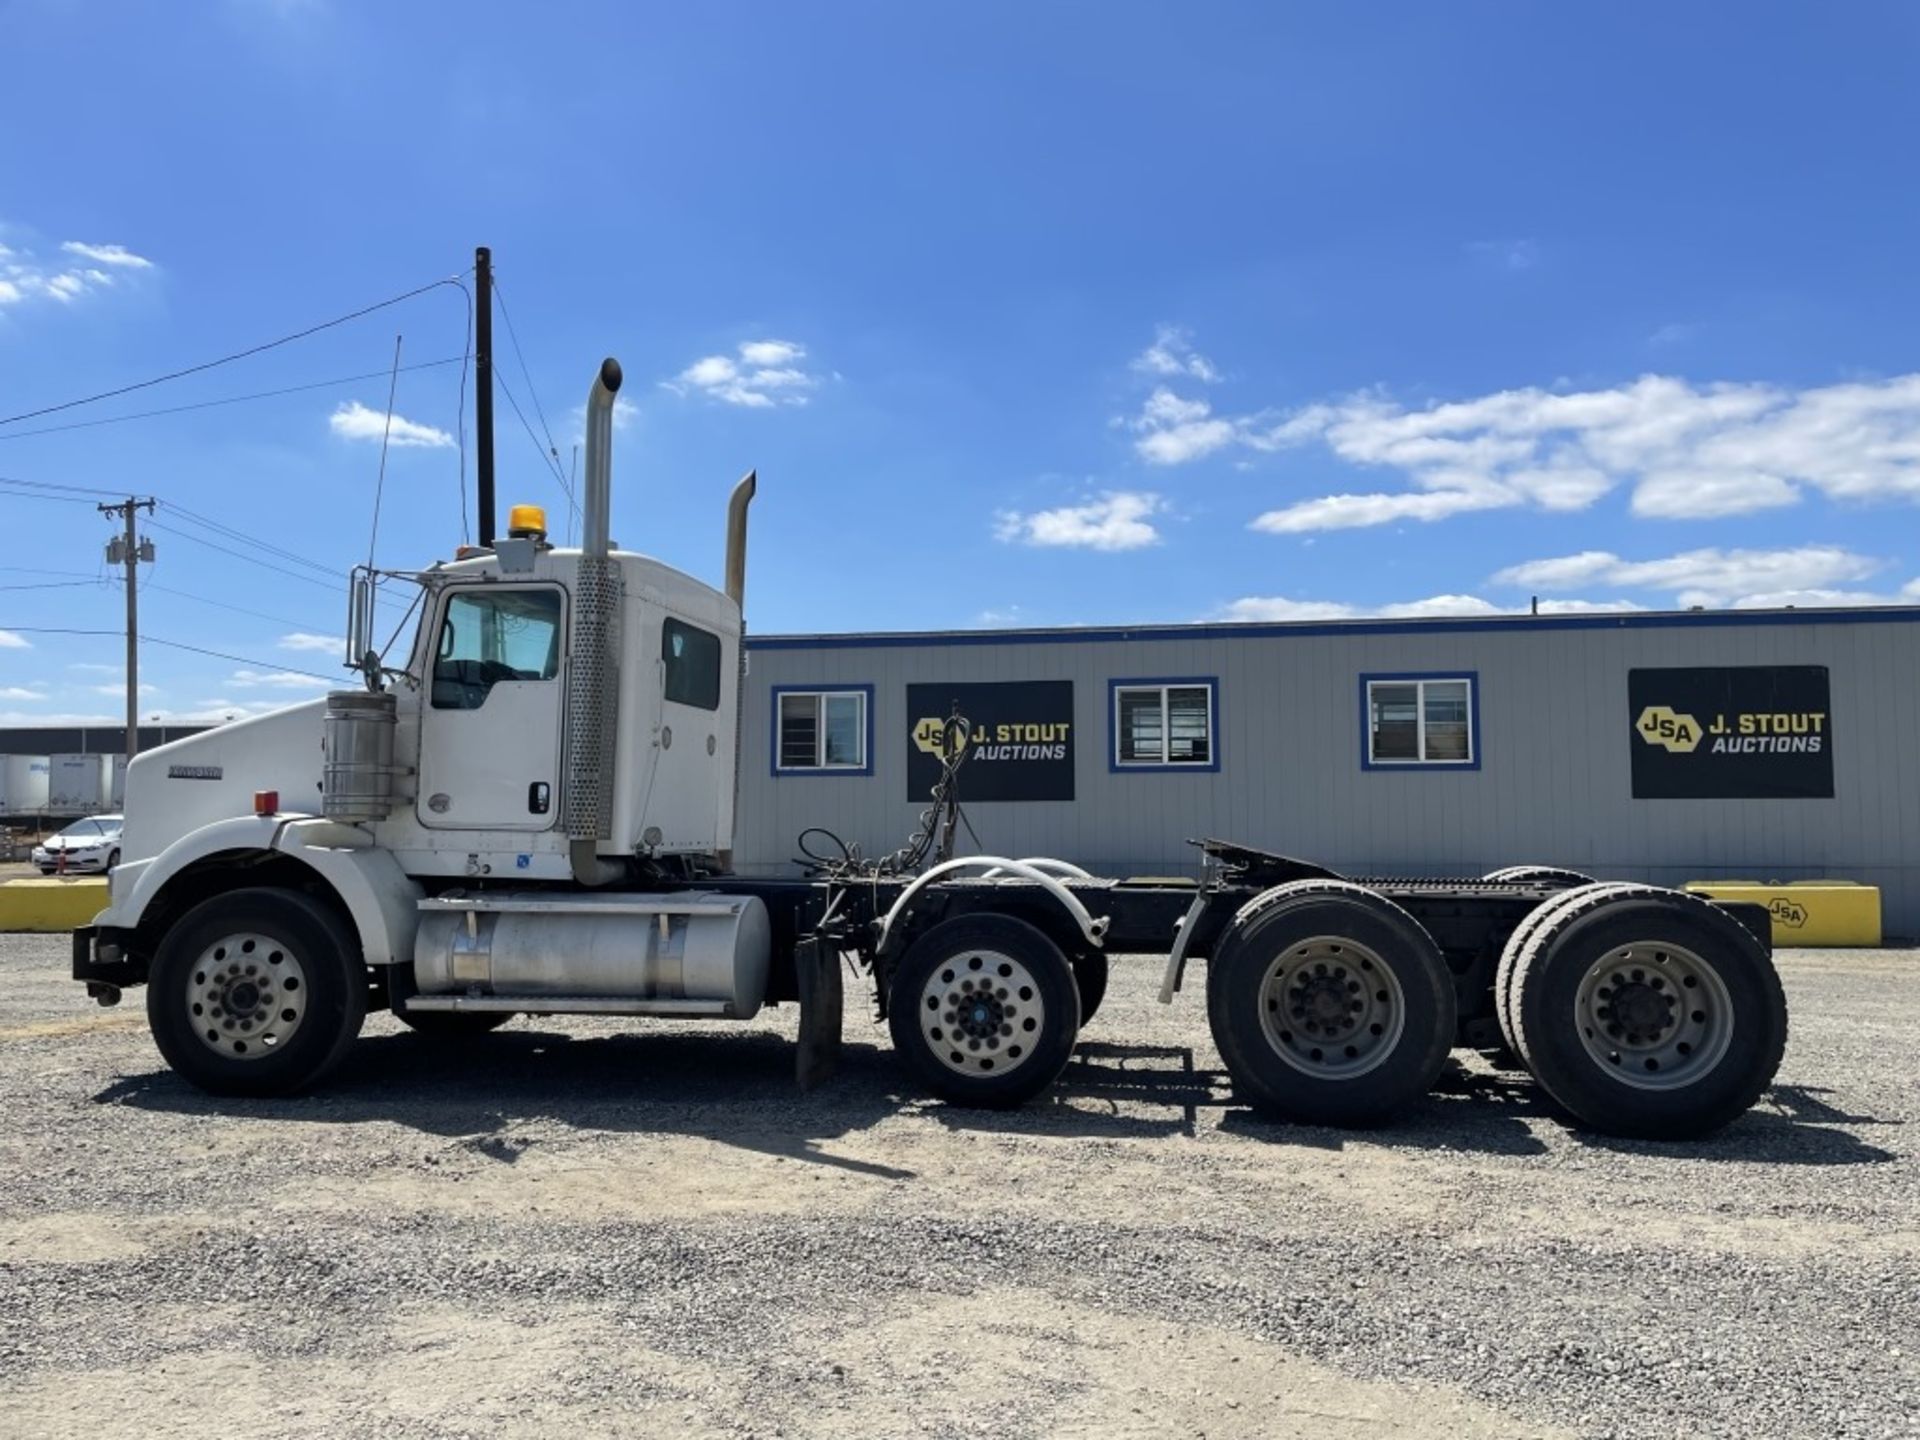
(1648, 1013)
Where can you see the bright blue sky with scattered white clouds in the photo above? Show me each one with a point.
(1026, 314)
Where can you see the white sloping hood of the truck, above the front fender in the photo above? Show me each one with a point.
(214, 777)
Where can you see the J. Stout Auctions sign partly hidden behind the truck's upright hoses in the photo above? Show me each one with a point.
(1020, 742)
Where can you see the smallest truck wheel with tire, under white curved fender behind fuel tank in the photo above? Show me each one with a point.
(984, 1011)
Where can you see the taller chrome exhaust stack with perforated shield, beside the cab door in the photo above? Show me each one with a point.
(594, 669)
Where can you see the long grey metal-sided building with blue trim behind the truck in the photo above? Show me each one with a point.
(1666, 748)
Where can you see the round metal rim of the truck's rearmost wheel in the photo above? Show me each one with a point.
(1656, 1017)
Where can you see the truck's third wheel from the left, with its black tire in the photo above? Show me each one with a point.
(1330, 1005)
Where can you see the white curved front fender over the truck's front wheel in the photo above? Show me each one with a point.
(379, 896)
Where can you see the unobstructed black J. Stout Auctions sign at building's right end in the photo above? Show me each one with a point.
(1739, 732)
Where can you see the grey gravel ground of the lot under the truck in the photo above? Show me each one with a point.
(644, 1230)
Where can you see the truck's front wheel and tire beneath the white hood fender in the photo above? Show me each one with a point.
(258, 992)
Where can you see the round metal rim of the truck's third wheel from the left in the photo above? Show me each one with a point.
(1332, 1009)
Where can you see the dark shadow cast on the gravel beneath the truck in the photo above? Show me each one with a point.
(738, 1090)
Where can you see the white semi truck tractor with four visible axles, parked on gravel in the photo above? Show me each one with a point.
(531, 811)
